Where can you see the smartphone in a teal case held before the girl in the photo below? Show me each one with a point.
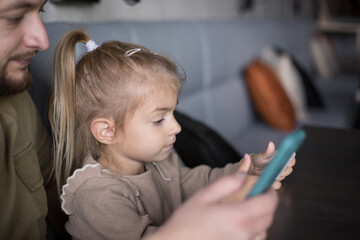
(278, 163)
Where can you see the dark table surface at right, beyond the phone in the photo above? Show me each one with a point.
(321, 198)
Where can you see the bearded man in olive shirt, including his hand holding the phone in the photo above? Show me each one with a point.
(28, 195)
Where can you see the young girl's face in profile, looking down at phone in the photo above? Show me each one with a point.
(150, 134)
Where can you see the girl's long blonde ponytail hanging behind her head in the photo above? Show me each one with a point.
(62, 107)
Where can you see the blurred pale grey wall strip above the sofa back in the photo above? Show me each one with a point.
(158, 10)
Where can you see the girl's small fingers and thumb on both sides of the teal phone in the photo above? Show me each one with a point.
(254, 164)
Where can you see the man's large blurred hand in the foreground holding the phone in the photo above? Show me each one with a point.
(207, 216)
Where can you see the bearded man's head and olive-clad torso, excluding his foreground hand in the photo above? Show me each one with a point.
(25, 146)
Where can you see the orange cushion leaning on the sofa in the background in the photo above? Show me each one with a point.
(269, 97)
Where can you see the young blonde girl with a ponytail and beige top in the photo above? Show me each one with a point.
(114, 130)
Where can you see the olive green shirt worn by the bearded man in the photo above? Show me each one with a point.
(25, 151)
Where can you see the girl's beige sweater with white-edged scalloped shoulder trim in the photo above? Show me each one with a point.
(104, 204)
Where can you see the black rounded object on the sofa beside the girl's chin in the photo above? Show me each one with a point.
(198, 144)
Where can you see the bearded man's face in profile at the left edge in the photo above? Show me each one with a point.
(22, 34)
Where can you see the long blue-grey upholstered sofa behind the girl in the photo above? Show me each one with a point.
(213, 55)
